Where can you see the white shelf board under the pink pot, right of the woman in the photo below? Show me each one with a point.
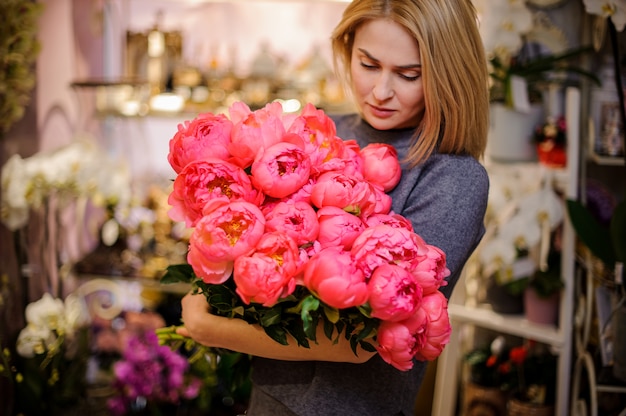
(511, 324)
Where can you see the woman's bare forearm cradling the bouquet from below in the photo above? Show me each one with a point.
(237, 335)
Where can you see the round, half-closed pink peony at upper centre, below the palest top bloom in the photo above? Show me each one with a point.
(281, 169)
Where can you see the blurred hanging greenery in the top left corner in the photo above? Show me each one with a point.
(19, 48)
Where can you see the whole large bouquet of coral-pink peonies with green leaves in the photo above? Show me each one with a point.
(292, 228)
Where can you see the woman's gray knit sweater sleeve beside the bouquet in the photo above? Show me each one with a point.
(447, 206)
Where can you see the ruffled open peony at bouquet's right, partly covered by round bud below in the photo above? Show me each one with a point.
(384, 244)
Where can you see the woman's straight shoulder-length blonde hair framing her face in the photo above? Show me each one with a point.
(454, 69)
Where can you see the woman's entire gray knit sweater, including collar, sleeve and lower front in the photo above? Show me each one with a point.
(445, 198)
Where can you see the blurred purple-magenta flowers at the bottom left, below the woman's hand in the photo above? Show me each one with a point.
(149, 375)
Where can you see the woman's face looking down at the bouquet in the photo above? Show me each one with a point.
(387, 75)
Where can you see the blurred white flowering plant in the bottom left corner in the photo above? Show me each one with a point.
(49, 370)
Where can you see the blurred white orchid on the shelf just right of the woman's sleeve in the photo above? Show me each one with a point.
(524, 211)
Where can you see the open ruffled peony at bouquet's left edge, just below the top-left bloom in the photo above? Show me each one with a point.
(203, 180)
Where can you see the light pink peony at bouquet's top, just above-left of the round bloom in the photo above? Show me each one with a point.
(254, 130)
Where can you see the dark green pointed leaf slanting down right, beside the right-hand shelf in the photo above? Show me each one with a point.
(592, 234)
